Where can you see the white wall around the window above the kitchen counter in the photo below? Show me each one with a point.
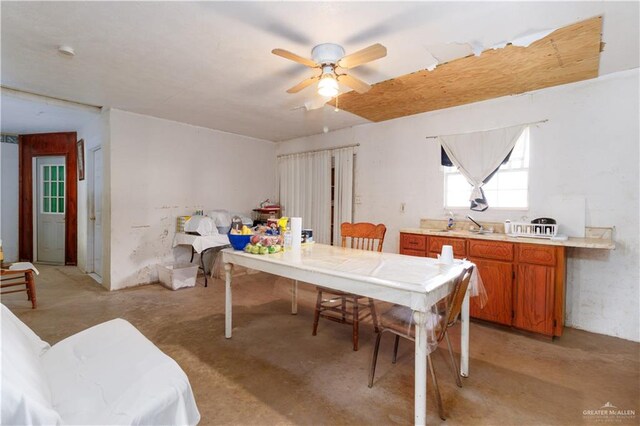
(588, 147)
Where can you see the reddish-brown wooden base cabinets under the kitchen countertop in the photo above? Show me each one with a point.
(524, 282)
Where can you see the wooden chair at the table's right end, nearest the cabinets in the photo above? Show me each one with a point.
(399, 321)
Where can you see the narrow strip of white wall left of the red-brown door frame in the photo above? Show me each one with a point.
(9, 204)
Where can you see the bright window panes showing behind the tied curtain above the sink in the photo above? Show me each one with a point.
(507, 189)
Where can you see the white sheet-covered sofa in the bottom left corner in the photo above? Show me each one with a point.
(109, 374)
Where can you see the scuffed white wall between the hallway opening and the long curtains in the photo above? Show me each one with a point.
(162, 169)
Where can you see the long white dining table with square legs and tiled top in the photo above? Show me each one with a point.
(416, 282)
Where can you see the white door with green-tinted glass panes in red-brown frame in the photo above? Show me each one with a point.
(51, 208)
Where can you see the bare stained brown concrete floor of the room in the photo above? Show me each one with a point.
(274, 372)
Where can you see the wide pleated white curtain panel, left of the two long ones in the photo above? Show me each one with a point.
(304, 182)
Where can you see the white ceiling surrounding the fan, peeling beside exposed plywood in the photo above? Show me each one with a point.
(210, 64)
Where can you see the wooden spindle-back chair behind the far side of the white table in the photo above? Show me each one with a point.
(347, 308)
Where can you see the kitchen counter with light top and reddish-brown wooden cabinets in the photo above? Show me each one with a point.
(524, 277)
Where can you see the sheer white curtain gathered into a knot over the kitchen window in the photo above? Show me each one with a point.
(478, 155)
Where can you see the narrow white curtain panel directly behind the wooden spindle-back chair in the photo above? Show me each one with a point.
(343, 195)
